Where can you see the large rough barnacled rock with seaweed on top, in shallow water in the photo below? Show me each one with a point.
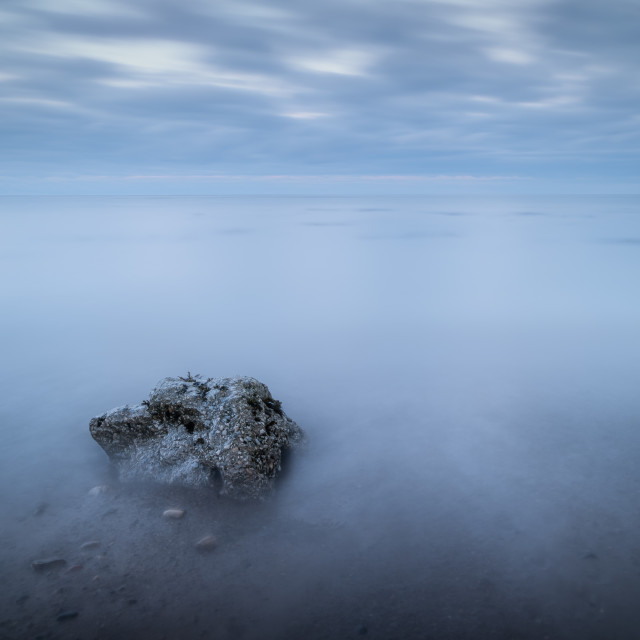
(200, 432)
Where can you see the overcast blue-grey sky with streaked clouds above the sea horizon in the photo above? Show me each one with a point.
(215, 95)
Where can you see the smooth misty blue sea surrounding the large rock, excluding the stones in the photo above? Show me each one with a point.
(466, 370)
